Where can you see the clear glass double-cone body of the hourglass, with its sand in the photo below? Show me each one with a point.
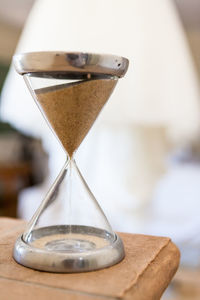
(69, 219)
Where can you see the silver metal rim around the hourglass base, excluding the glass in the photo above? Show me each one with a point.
(42, 260)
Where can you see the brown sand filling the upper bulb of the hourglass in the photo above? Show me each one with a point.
(72, 108)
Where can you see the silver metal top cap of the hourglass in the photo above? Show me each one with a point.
(70, 63)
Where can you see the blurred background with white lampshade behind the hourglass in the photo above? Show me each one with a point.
(150, 183)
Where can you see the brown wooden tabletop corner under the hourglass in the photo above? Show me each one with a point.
(144, 274)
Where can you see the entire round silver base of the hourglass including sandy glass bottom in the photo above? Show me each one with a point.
(68, 249)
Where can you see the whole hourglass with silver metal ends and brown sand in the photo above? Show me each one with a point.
(69, 231)
